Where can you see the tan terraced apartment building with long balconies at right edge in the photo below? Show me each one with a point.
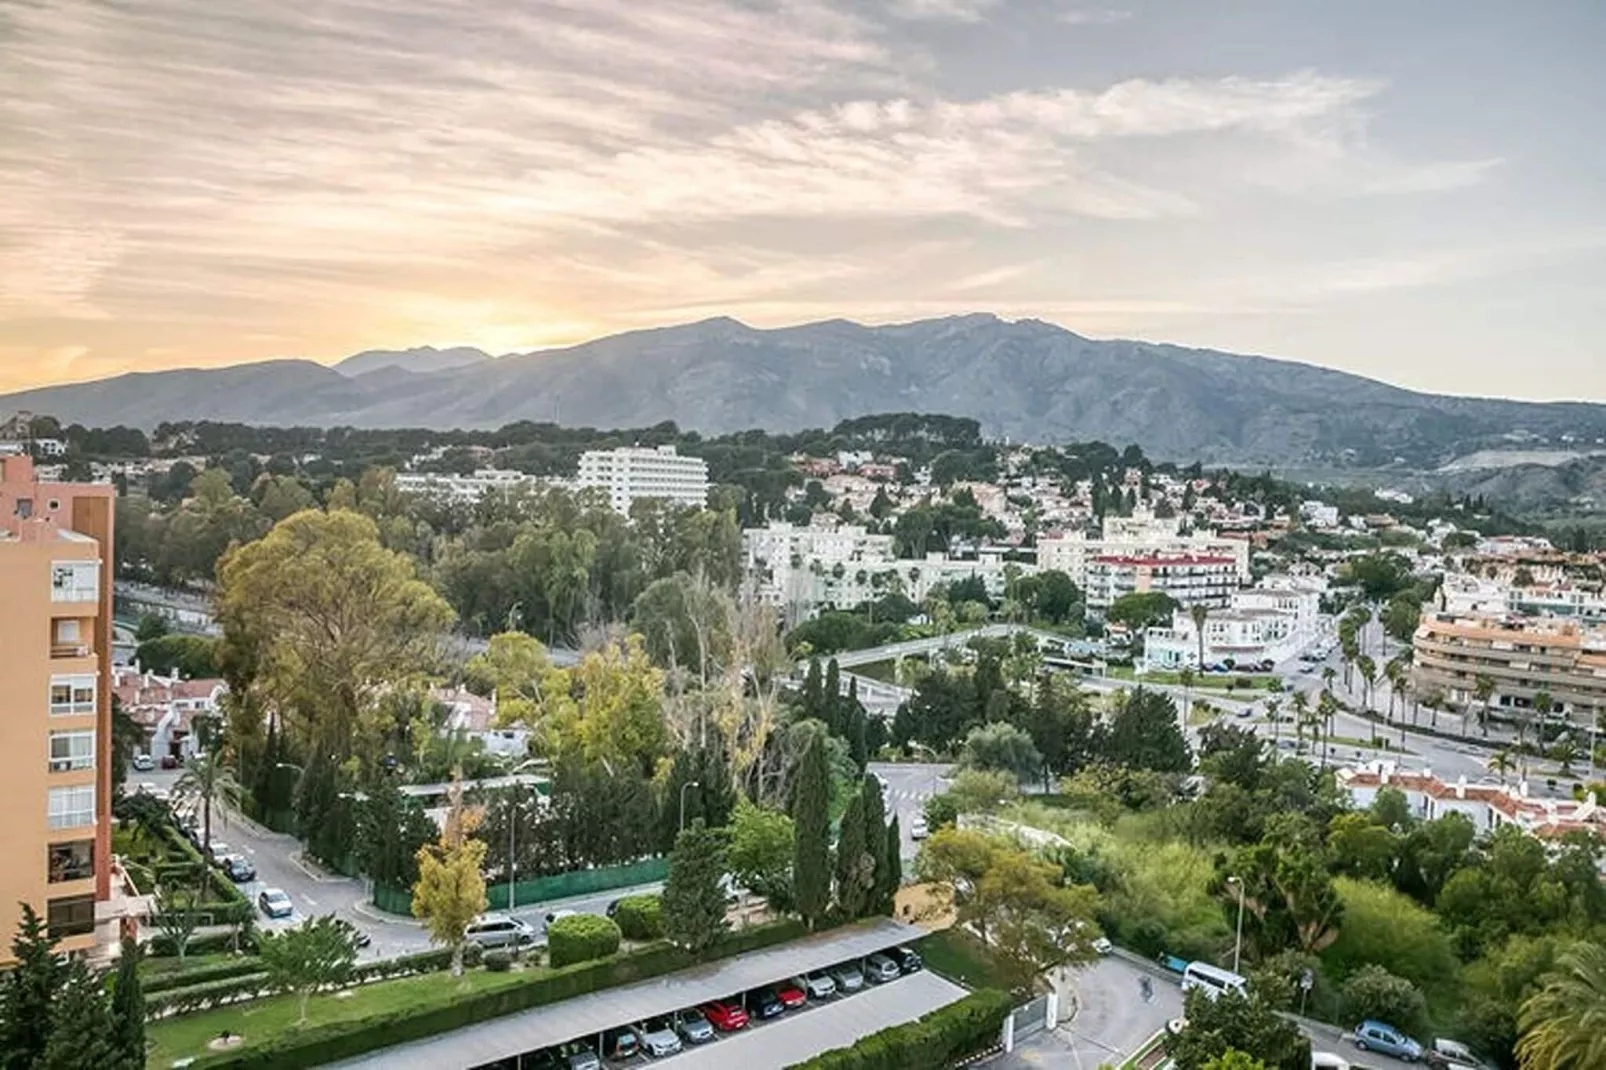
(1523, 656)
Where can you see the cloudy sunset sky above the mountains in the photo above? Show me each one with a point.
(1412, 192)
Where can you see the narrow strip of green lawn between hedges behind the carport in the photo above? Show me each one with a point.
(189, 1035)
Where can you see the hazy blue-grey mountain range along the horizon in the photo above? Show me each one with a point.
(1024, 380)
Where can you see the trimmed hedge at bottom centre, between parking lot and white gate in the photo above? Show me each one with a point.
(937, 1040)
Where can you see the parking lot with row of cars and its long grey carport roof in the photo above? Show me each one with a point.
(654, 1013)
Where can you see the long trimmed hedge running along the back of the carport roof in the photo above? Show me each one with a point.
(333, 1042)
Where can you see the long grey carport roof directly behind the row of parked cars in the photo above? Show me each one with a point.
(590, 1015)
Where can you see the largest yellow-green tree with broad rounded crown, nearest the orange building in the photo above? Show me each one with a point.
(330, 621)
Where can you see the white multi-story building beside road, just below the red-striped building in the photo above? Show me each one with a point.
(1270, 623)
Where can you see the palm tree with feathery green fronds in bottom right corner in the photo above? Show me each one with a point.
(1563, 1026)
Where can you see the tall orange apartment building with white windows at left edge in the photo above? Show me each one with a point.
(55, 740)
